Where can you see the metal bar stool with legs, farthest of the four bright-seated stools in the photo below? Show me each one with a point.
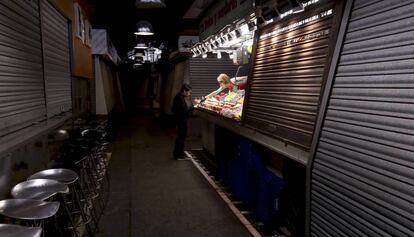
(70, 178)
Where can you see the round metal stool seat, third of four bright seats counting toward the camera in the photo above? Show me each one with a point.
(28, 209)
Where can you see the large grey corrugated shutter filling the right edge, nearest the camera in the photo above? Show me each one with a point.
(363, 171)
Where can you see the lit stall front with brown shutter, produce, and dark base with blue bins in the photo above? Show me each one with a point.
(262, 120)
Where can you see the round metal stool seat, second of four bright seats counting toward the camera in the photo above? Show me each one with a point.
(39, 189)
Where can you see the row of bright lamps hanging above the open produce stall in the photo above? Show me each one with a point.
(225, 40)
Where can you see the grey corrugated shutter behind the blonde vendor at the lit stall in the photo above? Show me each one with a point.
(204, 72)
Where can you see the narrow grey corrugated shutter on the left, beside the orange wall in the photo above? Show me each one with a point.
(56, 60)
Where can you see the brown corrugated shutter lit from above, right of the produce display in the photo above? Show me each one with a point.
(287, 76)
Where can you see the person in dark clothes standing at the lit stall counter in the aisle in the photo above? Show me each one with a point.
(182, 108)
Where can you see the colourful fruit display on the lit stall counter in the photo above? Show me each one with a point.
(226, 104)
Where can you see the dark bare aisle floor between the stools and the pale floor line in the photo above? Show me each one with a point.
(154, 195)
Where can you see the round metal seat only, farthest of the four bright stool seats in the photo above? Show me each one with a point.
(65, 176)
